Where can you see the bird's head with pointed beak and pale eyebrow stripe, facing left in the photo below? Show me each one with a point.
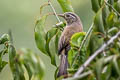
(70, 17)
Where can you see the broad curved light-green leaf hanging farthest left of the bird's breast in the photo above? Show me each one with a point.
(40, 34)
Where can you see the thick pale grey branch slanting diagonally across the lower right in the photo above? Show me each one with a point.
(81, 69)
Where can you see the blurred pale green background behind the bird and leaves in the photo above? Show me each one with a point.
(20, 16)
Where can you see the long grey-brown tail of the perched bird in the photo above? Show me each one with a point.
(63, 66)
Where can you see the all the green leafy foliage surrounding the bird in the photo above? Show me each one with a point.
(105, 66)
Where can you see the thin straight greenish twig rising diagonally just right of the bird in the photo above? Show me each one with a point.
(83, 42)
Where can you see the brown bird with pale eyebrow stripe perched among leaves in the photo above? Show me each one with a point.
(73, 25)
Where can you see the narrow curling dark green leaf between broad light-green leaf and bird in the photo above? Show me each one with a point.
(50, 34)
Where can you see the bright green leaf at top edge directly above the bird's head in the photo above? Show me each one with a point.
(65, 5)
